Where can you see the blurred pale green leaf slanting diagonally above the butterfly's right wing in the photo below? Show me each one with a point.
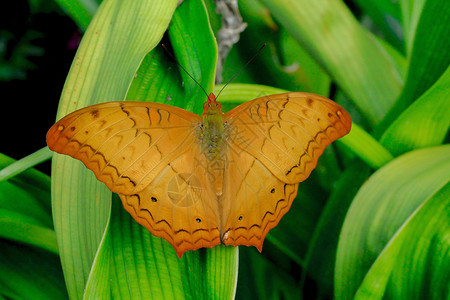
(349, 53)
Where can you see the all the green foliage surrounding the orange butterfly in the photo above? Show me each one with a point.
(370, 223)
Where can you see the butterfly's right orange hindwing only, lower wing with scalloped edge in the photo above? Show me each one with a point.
(254, 201)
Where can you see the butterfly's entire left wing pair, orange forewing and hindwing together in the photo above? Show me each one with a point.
(142, 151)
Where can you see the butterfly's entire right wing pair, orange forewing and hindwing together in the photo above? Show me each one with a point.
(274, 143)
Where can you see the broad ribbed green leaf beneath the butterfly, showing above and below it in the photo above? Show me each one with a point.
(142, 265)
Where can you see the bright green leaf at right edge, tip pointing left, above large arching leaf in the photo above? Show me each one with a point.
(425, 123)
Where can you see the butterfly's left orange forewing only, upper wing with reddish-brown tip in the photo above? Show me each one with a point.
(126, 144)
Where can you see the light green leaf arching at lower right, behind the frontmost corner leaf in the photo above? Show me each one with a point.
(382, 206)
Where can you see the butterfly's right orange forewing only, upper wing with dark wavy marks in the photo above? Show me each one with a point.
(287, 132)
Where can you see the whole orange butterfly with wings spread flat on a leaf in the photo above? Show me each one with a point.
(199, 181)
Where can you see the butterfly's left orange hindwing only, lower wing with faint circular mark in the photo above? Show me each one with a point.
(179, 205)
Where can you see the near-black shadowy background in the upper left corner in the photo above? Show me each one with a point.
(37, 45)
